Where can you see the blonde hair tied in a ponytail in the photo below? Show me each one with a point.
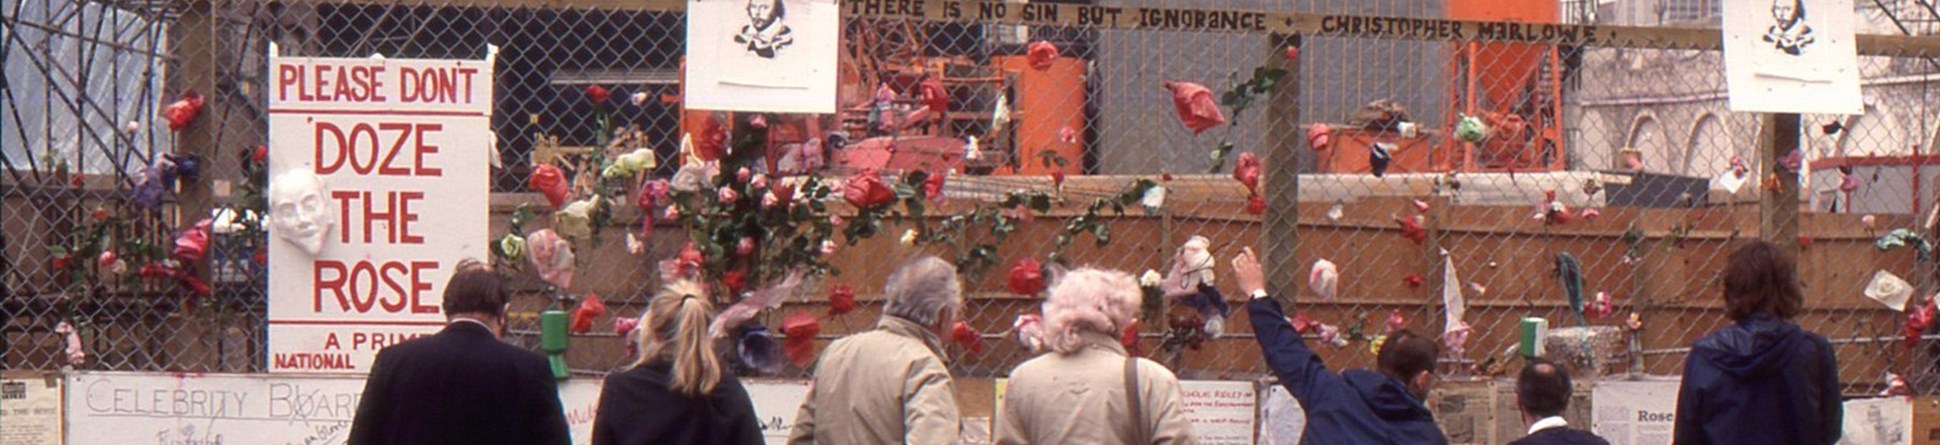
(676, 325)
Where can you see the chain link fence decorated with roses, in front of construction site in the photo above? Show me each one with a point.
(1503, 156)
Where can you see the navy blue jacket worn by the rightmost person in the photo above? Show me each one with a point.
(1761, 382)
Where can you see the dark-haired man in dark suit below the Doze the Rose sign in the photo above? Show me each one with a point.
(463, 386)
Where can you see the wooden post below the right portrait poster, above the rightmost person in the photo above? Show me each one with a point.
(1778, 213)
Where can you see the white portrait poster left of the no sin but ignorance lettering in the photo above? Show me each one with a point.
(763, 55)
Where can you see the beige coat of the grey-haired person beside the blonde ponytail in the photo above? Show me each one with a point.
(888, 386)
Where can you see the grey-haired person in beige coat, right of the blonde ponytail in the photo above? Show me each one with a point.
(891, 386)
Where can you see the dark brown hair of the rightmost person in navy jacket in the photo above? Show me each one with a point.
(1762, 279)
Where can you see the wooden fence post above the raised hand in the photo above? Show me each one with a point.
(1279, 230)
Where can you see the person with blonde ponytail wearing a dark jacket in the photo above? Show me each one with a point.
(678, 392)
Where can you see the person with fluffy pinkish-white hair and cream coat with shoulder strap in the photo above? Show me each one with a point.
(1080, 394)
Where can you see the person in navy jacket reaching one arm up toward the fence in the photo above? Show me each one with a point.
(1353, 407)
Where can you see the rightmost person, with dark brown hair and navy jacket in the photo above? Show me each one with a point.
(1762, 380)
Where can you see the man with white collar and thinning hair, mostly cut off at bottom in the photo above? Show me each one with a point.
(1543, 394)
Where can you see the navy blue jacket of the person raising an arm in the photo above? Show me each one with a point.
(1355, 407)
